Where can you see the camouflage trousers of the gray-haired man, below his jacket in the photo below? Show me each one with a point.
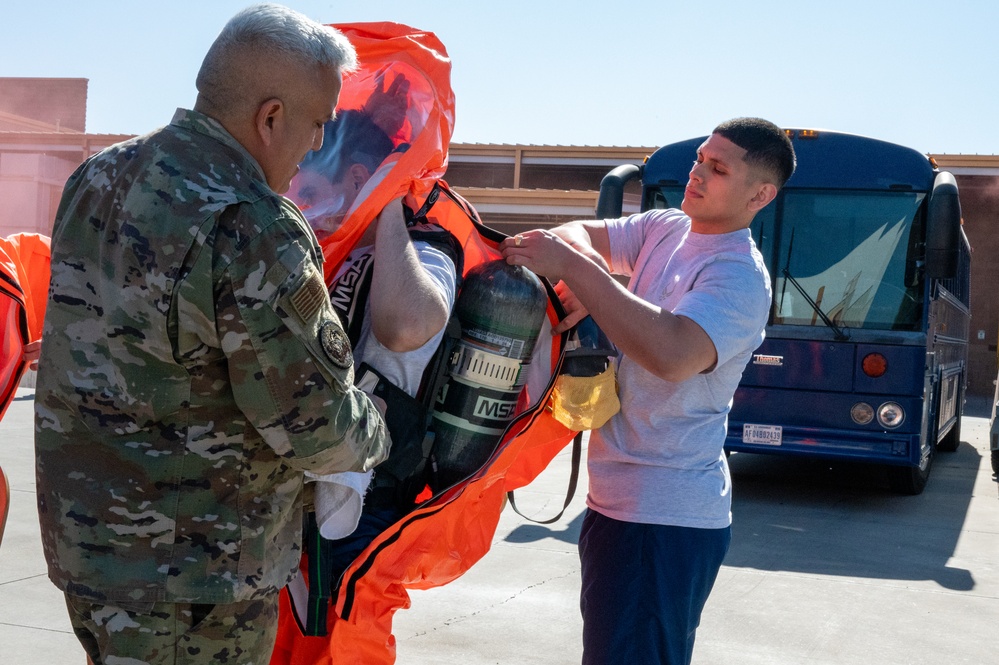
(176, 633)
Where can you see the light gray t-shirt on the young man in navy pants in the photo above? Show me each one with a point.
(660, 460)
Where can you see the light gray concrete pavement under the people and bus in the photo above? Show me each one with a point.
(827, 567)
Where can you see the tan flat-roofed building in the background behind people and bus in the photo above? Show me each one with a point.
(513, 187)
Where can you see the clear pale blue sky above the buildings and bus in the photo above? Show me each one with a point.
(552, 72)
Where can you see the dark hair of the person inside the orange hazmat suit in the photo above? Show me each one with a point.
(350, 138)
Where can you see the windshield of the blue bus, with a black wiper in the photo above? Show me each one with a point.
(846, 259)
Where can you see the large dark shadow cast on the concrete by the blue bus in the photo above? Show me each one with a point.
(835, 518)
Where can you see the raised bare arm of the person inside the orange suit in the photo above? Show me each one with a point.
(407, 308)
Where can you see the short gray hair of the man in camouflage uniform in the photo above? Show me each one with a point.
(275, 30)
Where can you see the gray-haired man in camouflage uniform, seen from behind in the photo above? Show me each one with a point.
(192, 368)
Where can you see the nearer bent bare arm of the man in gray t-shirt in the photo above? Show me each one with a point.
(674, 348)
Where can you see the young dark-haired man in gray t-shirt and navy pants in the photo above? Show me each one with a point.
(658, 523)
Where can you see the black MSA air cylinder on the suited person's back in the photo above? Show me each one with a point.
(501, 309)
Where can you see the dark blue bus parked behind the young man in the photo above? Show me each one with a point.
(866, 350)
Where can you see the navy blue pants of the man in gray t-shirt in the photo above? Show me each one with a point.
(644, 586)
